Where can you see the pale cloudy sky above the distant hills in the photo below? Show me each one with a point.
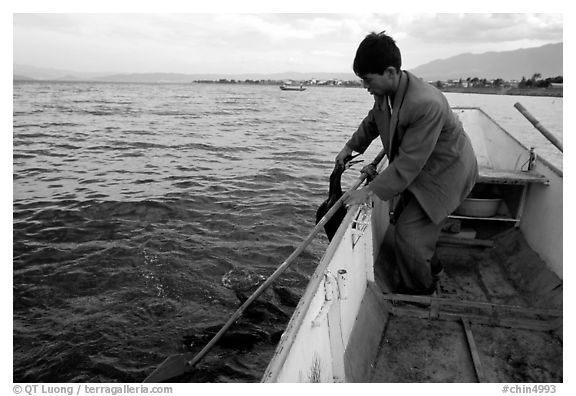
(260, 40)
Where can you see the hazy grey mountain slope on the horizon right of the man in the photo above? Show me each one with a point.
(508, 65)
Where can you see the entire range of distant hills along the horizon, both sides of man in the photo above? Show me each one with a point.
(508, 65)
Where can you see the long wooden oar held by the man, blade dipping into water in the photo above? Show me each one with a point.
(179, 367)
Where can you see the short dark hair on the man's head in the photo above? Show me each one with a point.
(375, 53)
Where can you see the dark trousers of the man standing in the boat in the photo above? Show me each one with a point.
(414, 237)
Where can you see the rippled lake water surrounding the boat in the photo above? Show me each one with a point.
(140, 210)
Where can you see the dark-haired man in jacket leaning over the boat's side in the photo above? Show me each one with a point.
(432, 165)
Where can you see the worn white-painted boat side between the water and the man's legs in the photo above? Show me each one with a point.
(314, 353)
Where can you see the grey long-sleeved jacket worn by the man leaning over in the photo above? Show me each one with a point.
(428, 149)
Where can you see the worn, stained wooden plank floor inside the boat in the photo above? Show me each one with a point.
(417, 347)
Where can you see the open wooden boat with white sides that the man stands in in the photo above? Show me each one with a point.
(497, 312)
